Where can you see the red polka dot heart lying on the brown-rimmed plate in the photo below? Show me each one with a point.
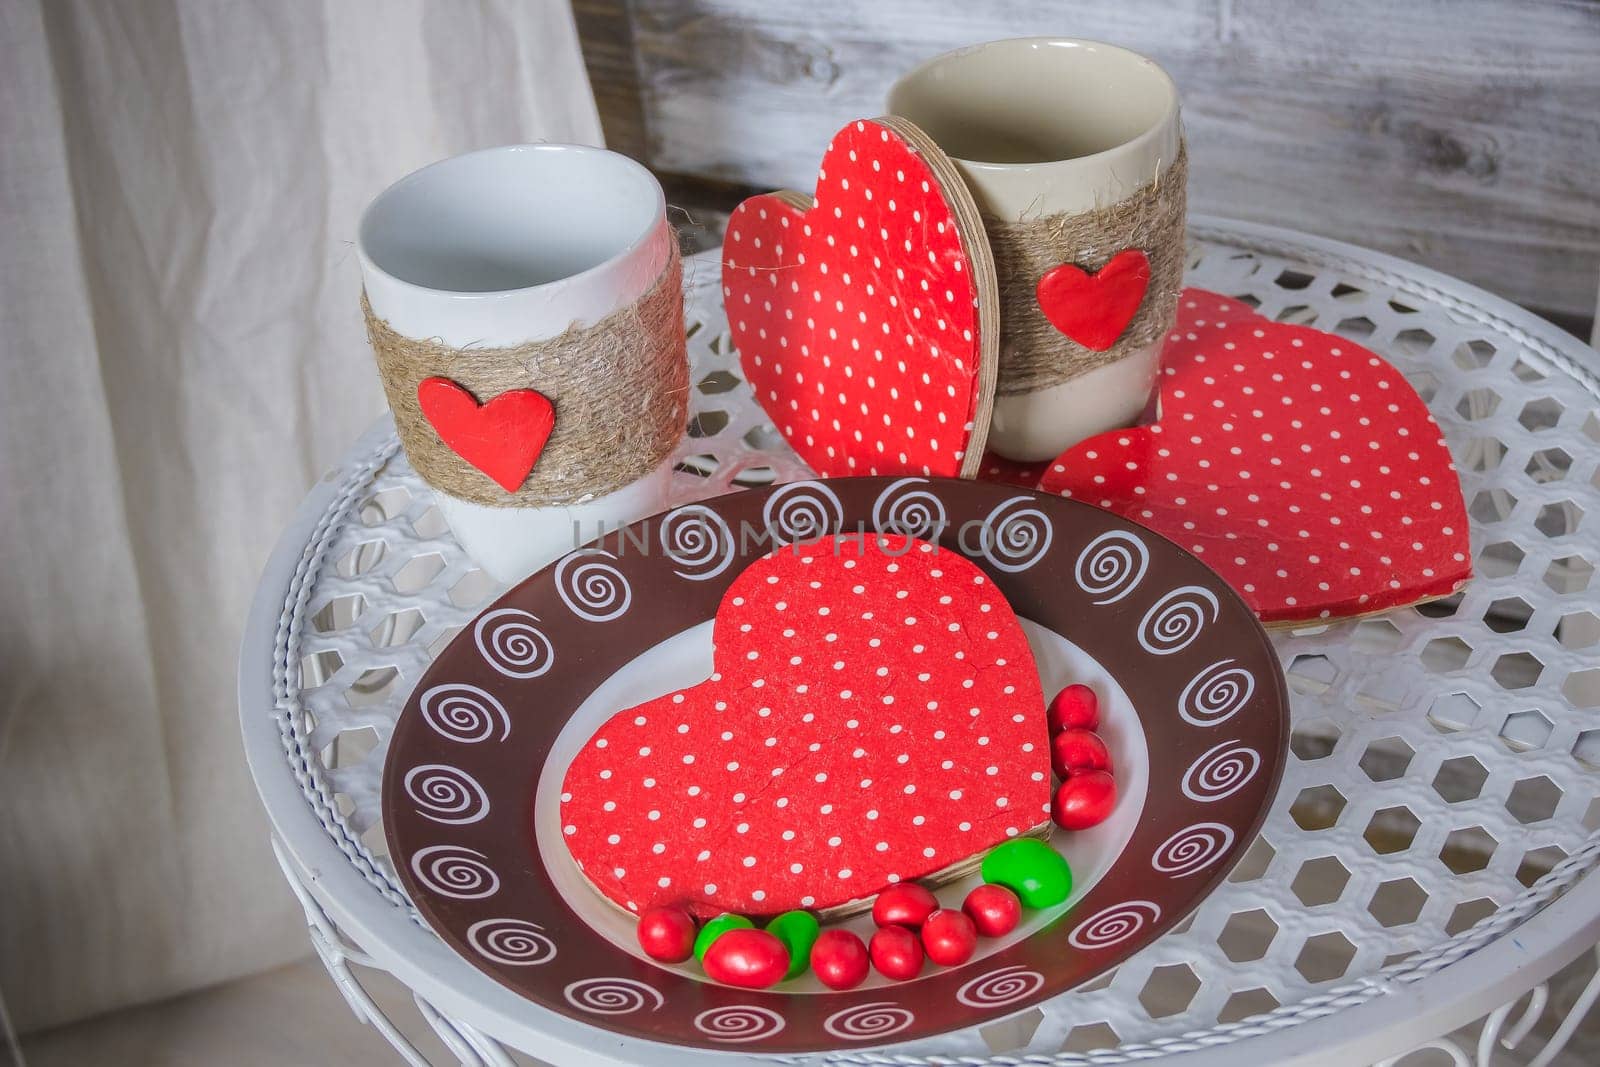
(874, 717)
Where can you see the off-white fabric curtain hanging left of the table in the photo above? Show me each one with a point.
(180, 185)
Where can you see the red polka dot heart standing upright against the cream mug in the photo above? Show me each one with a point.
(868, 321)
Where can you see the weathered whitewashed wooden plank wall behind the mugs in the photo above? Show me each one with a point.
(1458, 134)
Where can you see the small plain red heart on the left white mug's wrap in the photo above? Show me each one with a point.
(503, 438)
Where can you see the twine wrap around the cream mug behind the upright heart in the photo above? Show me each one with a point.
(1034, 354)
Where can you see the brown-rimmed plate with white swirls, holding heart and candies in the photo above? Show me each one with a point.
(1194, 713)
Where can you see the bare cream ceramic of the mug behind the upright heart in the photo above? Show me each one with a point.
(1038, 127)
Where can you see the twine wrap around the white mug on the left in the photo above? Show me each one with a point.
(620, 390)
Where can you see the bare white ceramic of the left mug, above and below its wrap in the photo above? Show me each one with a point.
(511, 246)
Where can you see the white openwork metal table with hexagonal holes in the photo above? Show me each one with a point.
(1430, 858)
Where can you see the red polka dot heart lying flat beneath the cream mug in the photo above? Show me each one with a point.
(1303, 468)
